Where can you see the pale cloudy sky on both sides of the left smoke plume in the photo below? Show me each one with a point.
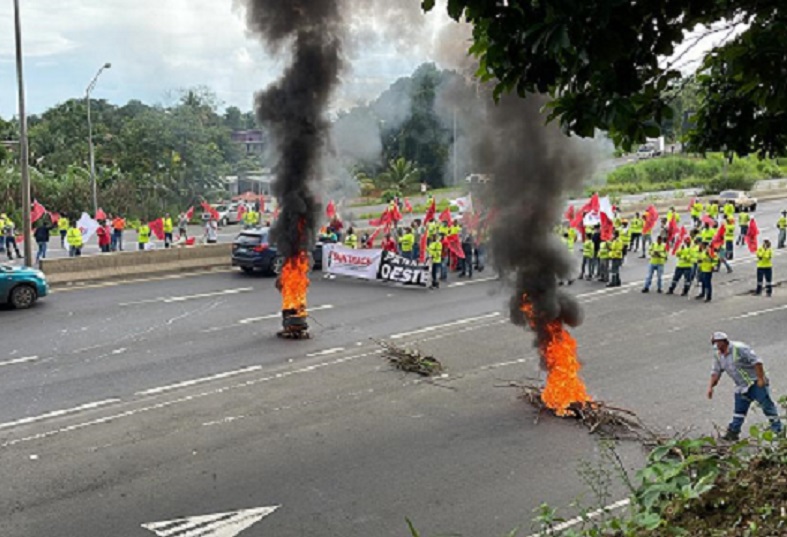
(159, 46)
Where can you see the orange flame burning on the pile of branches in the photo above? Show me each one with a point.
(564, 385)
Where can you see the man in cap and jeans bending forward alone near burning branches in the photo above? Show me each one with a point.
(745, 368)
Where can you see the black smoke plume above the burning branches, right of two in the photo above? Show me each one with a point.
(534, 166)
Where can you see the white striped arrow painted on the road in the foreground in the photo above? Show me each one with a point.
(218, 525)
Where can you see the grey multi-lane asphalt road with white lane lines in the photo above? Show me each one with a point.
(125, 405)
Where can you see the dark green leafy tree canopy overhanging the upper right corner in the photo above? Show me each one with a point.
(614, 65)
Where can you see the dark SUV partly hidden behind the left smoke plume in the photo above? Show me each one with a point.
(252, 251)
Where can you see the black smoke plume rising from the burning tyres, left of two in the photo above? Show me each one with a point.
(294, 107)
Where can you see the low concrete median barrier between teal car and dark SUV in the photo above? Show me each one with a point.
(123, 264)
